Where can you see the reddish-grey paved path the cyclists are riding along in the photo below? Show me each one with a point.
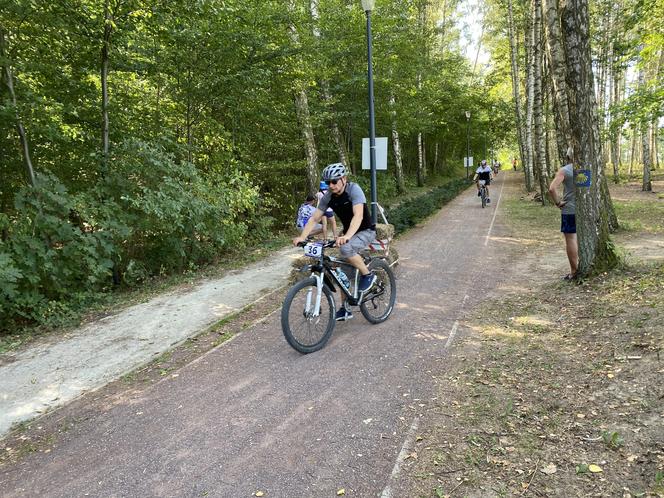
(254, 415)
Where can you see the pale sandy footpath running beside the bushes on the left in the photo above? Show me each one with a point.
(44, 376)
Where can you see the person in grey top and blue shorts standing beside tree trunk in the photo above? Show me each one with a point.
(567, 205)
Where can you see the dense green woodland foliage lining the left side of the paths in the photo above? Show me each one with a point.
(205, 147)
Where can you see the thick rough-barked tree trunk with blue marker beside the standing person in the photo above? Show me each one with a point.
(592, 220)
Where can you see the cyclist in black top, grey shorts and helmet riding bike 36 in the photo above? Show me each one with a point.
(349, 203)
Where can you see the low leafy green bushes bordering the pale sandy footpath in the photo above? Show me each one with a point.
(150, 214)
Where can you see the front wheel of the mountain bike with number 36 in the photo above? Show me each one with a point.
(305, 332)
